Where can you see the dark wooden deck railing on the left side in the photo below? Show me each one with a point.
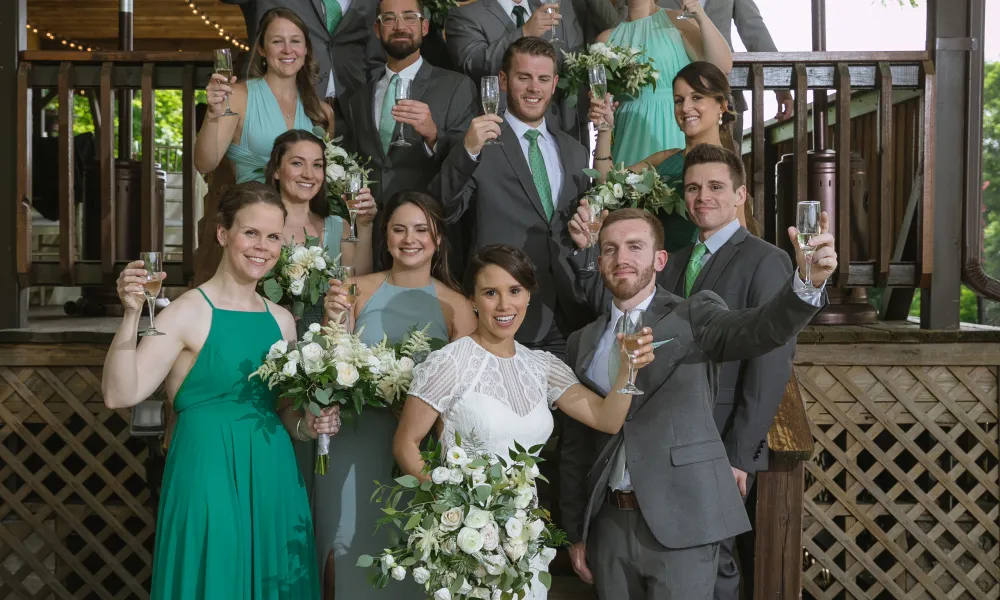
(105, 72)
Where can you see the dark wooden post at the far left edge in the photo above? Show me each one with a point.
(13, 222)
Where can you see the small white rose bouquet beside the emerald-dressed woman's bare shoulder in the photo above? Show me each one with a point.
(300, 276)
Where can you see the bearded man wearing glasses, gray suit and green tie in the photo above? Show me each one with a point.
(441, 106)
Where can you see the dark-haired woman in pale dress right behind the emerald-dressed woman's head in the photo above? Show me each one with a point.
(297, 169)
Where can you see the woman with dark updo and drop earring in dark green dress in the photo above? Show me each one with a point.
(701, 110)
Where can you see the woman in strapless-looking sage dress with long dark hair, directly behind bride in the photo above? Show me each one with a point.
(416, 292)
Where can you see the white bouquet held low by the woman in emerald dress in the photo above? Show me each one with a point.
(331, 365)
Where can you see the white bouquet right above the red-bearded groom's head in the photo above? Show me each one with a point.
(646, 190)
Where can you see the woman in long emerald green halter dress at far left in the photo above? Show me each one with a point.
(233, 521)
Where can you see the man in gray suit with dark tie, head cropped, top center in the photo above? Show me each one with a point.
(479, 33)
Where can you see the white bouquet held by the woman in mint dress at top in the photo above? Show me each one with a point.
(628, 70)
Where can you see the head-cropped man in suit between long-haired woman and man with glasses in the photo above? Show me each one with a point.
(341, 35)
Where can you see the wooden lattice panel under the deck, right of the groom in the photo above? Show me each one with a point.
(902, 496)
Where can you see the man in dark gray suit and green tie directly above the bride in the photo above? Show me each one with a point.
(524, 190)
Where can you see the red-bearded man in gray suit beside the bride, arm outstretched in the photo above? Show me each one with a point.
(661, 495)
